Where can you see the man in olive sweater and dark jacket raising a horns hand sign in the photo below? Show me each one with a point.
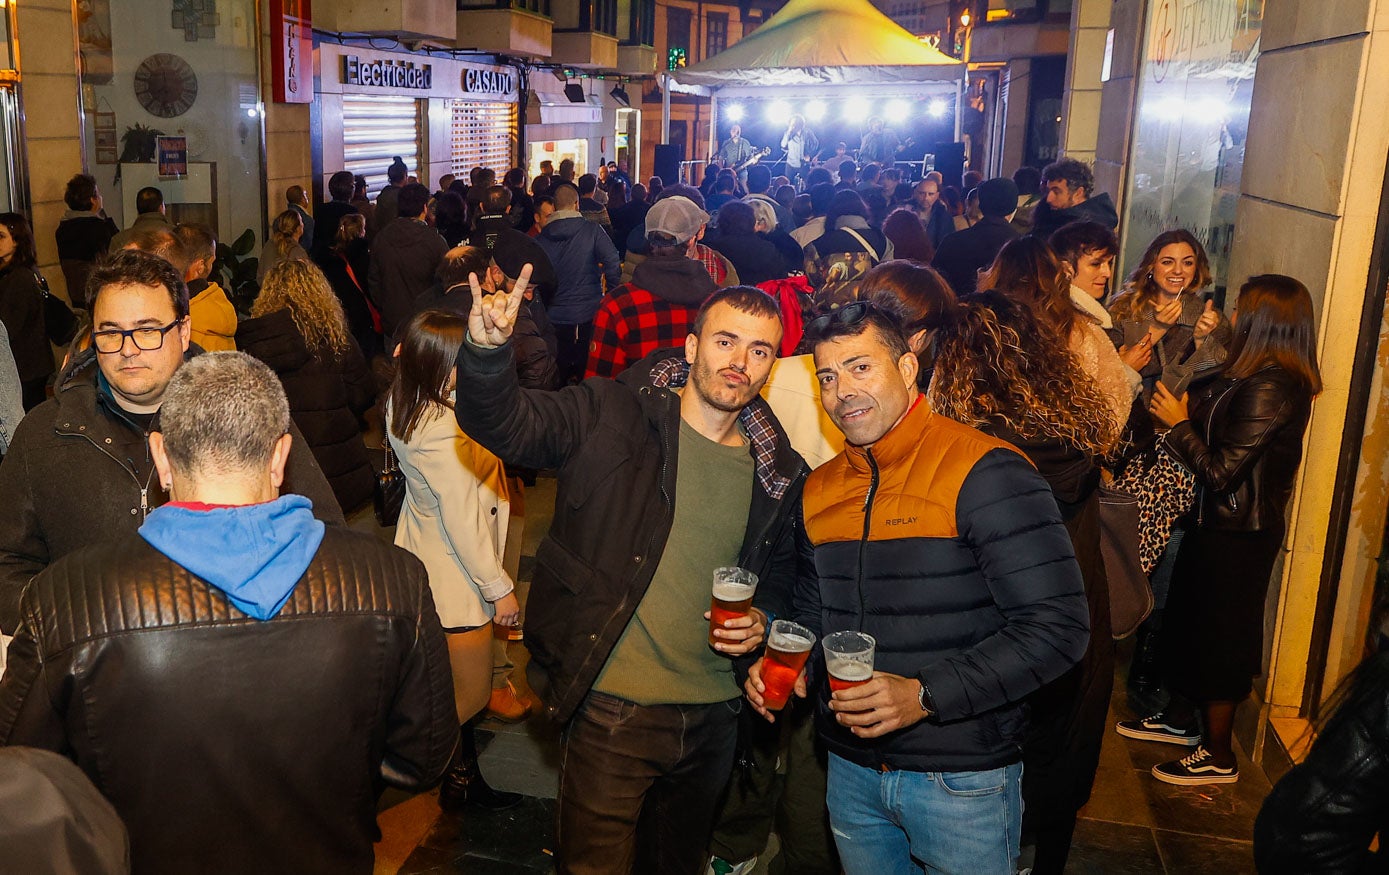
(666, 474)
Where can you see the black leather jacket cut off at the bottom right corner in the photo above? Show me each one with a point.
(1323, 815)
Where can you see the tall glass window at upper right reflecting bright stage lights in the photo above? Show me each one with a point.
(1191, 124)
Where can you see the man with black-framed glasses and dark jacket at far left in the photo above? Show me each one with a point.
(78, 470)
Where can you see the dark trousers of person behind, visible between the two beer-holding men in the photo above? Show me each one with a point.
(785, 790)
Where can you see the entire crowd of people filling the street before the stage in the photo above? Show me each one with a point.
(895, 406)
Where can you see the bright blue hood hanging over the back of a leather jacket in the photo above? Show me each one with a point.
(255, 553)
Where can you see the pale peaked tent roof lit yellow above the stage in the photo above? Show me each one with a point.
(823, 42)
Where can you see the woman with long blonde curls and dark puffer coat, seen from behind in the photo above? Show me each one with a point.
(299, 330)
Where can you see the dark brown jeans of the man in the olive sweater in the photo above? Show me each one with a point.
(640, 785)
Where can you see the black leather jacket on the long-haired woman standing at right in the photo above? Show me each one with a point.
(1244, 442)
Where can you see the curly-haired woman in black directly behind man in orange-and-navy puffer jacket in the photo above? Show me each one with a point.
(1001, 370)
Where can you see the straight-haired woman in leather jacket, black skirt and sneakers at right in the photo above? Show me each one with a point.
(1241, 433)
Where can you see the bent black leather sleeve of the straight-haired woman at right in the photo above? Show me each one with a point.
(1256, 410)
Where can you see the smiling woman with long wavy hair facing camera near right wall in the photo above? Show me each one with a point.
(1163, 303)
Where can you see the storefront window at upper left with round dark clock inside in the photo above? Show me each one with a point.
(184, 72)
